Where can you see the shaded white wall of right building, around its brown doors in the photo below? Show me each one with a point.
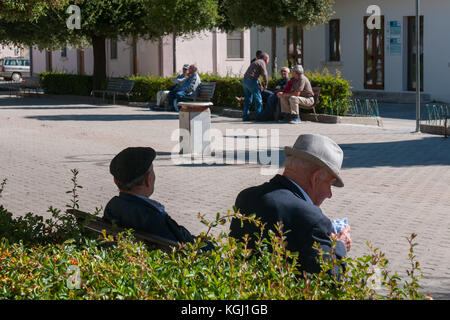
(351, 13)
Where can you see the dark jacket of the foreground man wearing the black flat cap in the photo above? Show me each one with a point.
(129, 211)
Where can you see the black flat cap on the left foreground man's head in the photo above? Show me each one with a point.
(131, 163)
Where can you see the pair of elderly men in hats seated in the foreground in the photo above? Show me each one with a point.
(312, 166)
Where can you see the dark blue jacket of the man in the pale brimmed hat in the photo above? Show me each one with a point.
(281, 200)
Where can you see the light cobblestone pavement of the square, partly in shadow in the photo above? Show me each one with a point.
(396, 182)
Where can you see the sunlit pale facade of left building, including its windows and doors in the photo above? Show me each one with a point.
(212, 52)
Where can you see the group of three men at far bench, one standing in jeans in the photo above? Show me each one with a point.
(284, 102)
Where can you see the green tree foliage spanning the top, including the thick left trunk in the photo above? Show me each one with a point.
(43, 22)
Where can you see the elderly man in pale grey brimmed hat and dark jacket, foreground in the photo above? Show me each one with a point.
(312, 166)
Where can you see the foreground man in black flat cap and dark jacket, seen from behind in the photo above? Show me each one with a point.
(133, 174)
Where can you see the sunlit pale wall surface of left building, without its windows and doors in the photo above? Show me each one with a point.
(208, 50)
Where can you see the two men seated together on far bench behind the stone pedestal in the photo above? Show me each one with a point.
(185, 84)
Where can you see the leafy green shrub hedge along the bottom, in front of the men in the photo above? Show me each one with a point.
(120, 268)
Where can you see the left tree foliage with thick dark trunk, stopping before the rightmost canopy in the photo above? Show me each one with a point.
(43, 23)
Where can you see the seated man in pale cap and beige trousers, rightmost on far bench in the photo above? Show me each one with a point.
(301, 95)
